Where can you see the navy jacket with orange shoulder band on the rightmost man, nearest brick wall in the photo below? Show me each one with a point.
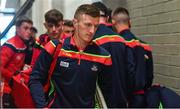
(143, 61)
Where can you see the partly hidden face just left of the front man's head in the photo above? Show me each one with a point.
(68, 30)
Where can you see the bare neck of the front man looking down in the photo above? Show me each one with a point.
(81, 45)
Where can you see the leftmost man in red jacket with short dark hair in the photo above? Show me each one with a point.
(12, 57)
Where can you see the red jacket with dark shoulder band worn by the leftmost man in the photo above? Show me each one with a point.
(12, 57)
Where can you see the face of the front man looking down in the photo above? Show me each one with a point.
(85, 27)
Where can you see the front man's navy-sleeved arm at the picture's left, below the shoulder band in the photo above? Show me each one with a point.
(39, 77)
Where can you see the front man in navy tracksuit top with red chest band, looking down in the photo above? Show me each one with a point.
(78, 66)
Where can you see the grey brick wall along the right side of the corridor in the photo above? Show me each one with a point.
(158, 23)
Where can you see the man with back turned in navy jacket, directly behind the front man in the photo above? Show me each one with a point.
(122, 59)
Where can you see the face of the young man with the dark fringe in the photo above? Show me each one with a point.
(53, 30)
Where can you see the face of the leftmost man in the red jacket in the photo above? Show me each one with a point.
(24, 30)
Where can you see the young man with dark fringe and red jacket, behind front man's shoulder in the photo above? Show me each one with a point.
(53, 24)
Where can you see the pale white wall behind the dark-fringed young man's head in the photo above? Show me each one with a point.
(67, 7)
